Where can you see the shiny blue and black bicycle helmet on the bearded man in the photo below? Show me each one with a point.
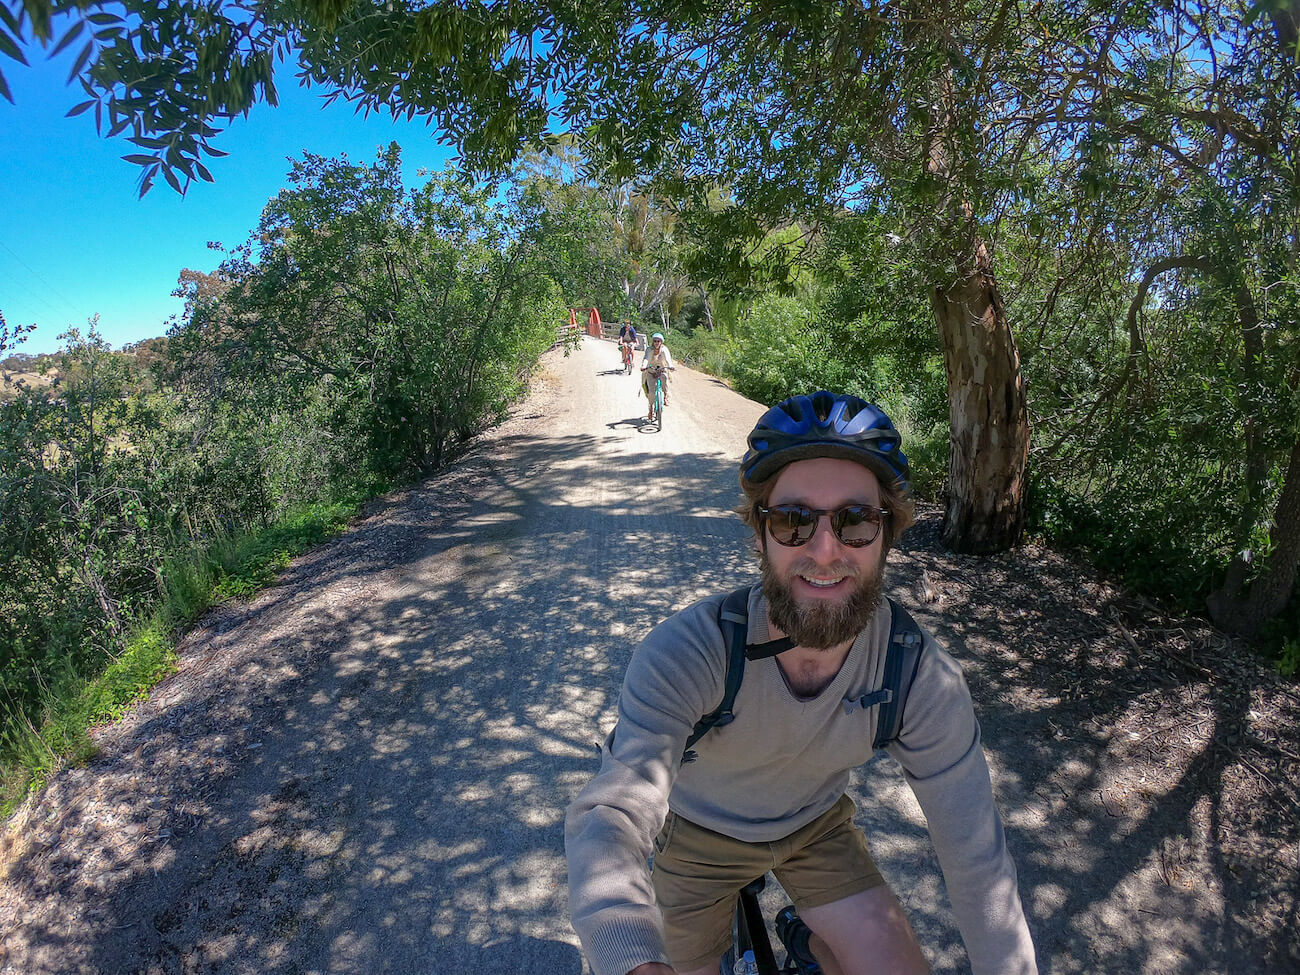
(825, 426)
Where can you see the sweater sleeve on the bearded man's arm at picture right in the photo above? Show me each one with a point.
(943, 760)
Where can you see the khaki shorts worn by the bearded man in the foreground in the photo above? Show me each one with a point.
(699, 876)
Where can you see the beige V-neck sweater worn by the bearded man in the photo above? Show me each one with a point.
(782, 764)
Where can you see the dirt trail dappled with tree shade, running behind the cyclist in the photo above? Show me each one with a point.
(366, 769)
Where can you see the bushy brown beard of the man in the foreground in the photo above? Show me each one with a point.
(821, 625)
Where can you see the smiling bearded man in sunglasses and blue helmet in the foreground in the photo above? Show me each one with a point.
(826, 492)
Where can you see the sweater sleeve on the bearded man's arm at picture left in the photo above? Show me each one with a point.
(610, 827)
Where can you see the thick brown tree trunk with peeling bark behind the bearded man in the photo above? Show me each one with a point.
(987, 415)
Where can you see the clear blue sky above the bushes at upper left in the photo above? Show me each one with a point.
(75, 239)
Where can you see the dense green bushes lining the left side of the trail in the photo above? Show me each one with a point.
(362, 337)
